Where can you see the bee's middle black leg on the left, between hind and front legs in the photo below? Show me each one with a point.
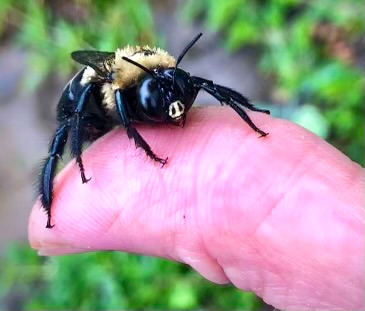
(77, 130)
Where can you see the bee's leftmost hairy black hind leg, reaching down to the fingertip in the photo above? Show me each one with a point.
(56, 150)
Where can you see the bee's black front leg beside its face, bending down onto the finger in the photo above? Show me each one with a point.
(131, 131)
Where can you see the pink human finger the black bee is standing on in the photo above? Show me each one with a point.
(282, 216)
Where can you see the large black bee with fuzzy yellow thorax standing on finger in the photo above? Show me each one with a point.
(133, 84)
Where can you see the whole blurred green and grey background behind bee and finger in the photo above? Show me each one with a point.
(301, 59)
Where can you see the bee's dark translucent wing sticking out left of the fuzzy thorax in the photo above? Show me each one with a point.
(95, 59)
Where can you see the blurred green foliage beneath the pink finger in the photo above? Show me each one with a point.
(109, 280)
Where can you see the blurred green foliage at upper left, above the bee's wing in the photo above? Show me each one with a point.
(51, 30)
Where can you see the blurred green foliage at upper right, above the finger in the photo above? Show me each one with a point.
(318, 71)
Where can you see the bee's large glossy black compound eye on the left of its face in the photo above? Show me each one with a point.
(150, 101)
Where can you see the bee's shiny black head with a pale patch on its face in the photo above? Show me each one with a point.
(168, 98)
